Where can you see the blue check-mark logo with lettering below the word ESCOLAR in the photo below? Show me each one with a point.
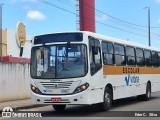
(131, 79)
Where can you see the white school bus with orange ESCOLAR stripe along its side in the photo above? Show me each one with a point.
(75, 68)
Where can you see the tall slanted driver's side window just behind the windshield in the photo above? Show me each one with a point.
(95, 56)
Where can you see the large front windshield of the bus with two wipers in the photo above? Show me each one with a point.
(59, 61)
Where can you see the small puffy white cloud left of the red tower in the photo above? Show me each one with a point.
(35, 15)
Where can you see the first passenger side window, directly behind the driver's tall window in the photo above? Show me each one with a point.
(108, 55)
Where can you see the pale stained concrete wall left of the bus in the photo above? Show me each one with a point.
(14, 81)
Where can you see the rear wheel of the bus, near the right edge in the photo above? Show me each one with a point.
(147, 95)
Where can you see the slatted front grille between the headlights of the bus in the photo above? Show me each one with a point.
(56, 85)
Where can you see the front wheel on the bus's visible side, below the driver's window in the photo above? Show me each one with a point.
(107, 100)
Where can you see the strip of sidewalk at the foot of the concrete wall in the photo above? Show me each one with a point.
(19, 104)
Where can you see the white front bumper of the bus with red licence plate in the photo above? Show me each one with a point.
(74, 99)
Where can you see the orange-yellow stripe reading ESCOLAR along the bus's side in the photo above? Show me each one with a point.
(114, 70)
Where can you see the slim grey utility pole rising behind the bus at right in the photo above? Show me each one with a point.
(149, 28)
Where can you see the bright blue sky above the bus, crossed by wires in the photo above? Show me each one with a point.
(41, 18)
